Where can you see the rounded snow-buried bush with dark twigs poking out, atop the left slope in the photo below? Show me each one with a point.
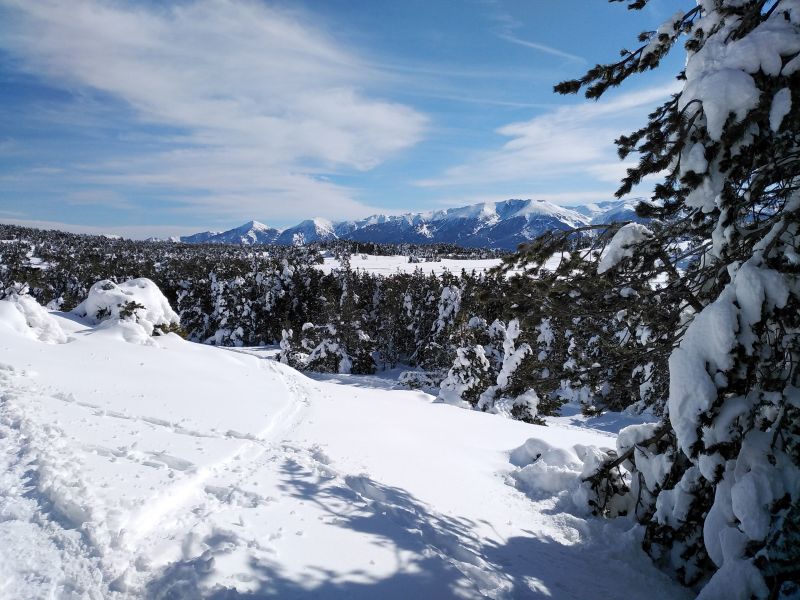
(137, 300)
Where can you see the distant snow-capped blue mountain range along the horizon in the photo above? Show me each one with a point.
(503, 224)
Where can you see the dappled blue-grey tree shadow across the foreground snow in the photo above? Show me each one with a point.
(448, 559)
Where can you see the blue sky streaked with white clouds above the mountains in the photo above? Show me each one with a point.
(158, 118)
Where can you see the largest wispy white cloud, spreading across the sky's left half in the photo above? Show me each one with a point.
(239, 79)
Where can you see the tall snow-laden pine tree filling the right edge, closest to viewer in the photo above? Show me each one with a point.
(722, 472)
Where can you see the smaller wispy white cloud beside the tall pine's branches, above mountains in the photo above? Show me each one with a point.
(569, 142)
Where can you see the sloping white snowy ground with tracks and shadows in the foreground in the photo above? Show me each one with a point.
(175, 470)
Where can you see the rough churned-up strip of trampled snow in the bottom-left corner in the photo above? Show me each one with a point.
(36, 524)
